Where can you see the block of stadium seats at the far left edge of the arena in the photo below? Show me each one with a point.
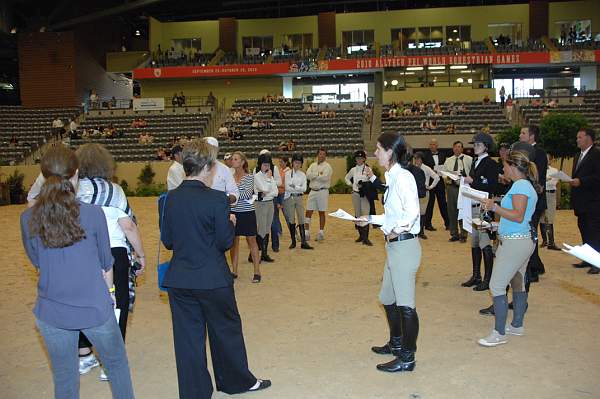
(32, 128)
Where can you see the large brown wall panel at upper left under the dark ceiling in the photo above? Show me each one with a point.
(47, 72)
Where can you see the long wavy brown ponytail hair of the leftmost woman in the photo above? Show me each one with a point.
(55, 215)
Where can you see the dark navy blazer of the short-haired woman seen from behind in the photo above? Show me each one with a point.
(196, 227)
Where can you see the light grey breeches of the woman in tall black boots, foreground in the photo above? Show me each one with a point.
(400, 273)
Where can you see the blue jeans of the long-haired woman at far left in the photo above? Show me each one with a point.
(63, 352)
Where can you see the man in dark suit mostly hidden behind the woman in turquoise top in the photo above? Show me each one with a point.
(531, 135)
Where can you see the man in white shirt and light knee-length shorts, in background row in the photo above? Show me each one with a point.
(319, 174)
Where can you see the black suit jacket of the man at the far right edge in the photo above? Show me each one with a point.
(586, 198)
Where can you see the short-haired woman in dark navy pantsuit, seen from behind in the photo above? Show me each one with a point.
(198, 227)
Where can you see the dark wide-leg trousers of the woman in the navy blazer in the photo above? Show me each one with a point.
(193, 313)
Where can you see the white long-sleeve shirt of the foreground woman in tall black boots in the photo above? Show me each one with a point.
(401, 203)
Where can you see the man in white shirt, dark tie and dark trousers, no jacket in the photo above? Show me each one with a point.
(459, 164)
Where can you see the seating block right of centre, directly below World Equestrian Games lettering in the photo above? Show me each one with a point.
(477, 115)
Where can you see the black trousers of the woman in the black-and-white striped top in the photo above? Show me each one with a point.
(121, 282)
